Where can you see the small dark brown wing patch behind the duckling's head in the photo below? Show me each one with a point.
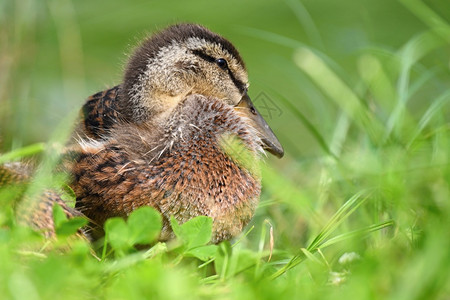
(99, 114)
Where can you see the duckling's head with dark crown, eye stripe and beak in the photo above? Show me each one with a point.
(187, 59)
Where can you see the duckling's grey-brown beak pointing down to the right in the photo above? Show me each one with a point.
(270, 141)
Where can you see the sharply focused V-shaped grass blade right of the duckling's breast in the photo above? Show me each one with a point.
(321, 239)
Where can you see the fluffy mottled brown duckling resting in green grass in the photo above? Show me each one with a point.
(157, 139)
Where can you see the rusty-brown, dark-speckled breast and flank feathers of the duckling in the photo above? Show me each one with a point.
(183, 184)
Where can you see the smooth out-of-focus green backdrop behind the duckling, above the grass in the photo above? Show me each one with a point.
(54, 54)
